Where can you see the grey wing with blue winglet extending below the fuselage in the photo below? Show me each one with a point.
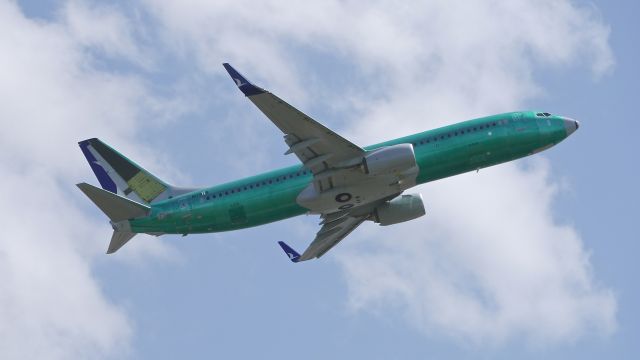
(335, 227)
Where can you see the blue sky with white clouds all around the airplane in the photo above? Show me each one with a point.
(531, 259)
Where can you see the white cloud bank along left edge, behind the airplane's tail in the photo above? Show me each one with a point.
(52, 95)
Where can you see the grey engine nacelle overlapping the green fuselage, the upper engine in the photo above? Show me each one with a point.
(390, 160)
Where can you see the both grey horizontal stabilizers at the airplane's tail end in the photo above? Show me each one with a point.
(119, 210)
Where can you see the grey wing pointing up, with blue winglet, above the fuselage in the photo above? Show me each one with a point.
(315, 145)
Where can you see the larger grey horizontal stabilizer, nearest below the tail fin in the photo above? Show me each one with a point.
(116, 207)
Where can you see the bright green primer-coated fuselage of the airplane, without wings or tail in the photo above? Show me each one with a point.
(271, 196)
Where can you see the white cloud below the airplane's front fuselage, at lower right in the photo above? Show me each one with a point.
(487, 264)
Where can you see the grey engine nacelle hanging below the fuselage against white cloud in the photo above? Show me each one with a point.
(400, 209)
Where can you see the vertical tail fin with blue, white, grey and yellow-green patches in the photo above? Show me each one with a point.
(119, 175)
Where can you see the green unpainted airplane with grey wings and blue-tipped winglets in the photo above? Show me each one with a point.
(343, 183)
